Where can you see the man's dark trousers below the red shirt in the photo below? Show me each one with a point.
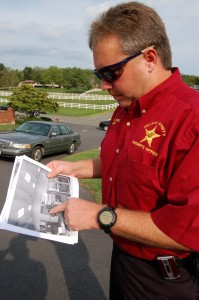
(135, 279)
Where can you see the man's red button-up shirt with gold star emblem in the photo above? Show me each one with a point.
(150, 162)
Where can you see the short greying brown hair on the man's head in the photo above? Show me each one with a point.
(138, 26)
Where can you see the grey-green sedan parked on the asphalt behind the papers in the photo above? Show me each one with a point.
(36, 139)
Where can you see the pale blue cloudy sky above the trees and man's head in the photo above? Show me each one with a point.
(43, 33)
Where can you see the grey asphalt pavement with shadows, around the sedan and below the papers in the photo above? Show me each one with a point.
(37, 269)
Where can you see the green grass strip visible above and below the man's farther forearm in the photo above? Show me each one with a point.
(93, 185)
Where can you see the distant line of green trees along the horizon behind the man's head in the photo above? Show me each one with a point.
(68, 78)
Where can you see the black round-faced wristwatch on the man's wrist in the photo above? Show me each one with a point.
(106, 218)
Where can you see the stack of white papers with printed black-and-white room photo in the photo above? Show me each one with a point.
(30, 197)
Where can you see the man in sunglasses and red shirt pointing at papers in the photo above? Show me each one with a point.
(148, 163)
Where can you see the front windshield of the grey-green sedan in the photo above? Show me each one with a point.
(34, 128)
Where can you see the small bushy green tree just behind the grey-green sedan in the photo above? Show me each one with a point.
(27, 98)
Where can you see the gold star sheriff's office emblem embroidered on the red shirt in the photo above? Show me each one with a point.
(153, 131)
